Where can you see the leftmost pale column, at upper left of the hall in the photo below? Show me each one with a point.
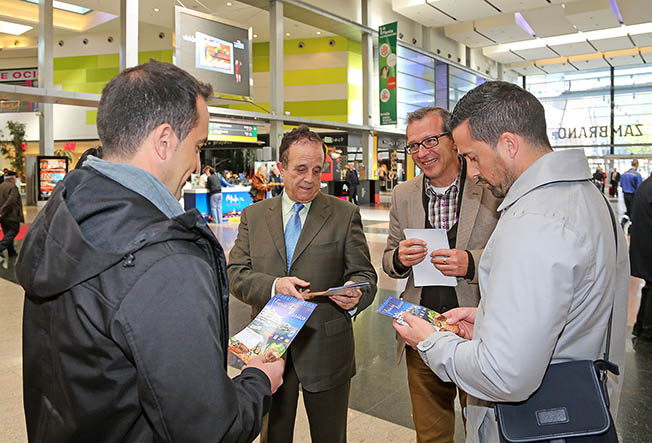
(45, 76)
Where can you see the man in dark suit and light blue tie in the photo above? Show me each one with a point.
(298, 242)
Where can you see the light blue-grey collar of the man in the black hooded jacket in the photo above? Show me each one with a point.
(139, 181)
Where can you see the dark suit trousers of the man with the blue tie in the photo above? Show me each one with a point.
(327, 411)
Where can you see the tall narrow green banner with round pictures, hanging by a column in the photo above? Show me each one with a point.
(387, 71)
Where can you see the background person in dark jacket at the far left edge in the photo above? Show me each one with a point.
(11, 215)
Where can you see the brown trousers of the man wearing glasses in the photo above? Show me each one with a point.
(433, 410)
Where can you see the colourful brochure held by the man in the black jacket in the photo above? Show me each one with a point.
(272, 331)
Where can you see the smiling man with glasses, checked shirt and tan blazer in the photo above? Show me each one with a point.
(442, 198)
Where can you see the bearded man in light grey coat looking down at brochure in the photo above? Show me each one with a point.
(550, 274)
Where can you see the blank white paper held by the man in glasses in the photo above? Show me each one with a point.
(425, 273)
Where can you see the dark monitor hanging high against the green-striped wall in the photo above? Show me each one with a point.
(214, 51)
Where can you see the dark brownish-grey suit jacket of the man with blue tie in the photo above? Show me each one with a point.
(331, 250)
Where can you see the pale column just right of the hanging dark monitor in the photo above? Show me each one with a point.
(277, 96)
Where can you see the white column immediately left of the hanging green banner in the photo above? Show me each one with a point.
(367, 91)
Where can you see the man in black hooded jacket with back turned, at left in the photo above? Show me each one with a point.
(125, 322)
